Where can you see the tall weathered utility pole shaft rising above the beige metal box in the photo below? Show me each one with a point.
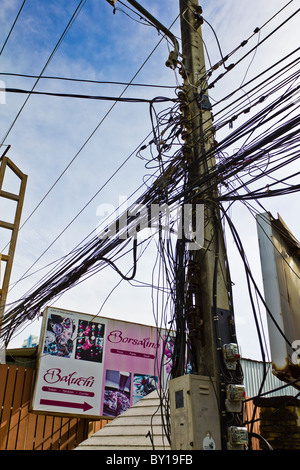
(198, 139)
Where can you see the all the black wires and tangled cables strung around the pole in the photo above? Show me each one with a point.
(257, 159)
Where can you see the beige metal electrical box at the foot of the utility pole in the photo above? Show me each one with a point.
(194, 413)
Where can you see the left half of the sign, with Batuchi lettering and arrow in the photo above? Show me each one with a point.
(69, 379)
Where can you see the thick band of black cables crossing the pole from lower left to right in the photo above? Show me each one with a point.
(274, 148)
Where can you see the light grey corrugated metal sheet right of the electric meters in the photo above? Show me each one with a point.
(253, 375)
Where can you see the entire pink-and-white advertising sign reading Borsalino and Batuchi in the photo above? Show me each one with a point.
(97, 367)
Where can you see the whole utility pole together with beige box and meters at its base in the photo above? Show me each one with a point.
(202, 403)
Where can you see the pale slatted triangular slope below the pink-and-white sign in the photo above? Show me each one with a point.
(138, 428)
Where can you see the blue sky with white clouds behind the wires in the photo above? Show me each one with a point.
(81, 155)
